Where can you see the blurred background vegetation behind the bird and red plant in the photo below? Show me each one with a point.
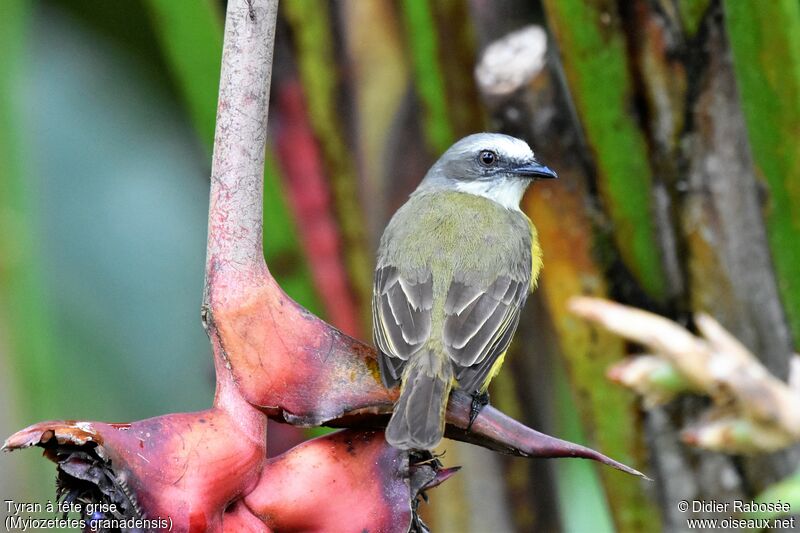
(673, 123)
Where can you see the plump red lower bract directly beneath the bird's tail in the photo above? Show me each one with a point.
(331, 483)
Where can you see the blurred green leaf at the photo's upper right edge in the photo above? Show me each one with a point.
(765, 40)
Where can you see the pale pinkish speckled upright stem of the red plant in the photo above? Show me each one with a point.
(235, 259)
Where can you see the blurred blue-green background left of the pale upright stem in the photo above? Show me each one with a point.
(105, 210)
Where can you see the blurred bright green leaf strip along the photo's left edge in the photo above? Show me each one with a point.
(21, 279)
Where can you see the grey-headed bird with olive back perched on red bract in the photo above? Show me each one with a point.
(454, 267)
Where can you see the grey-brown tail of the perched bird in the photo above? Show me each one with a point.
(418, 419)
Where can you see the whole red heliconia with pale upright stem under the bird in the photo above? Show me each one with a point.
(208, 471)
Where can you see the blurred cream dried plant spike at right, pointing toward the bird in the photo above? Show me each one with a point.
(753, 411)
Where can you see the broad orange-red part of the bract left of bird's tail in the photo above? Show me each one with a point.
(290, 363)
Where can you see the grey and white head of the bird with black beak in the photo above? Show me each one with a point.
(493, 165)
